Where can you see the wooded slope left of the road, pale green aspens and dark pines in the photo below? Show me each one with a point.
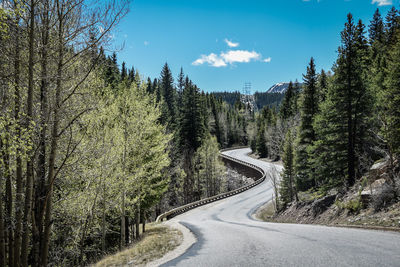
(90, 150)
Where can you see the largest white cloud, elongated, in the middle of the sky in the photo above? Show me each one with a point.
(230, 57)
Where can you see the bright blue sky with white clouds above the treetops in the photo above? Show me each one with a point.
(221, 44)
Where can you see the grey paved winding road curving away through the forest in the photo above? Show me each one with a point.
(227, 235)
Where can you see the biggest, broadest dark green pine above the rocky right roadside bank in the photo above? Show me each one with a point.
(341, 125)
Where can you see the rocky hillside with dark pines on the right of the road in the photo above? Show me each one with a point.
(332, 130)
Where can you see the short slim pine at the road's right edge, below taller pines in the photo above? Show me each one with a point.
(287, 189)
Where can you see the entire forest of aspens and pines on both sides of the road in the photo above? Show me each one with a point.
(91, 150)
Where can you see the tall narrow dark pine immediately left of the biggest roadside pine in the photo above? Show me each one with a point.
(306, 133)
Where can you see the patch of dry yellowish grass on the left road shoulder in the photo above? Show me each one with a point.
(154, 244)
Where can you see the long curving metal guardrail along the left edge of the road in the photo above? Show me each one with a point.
(169, 214)
